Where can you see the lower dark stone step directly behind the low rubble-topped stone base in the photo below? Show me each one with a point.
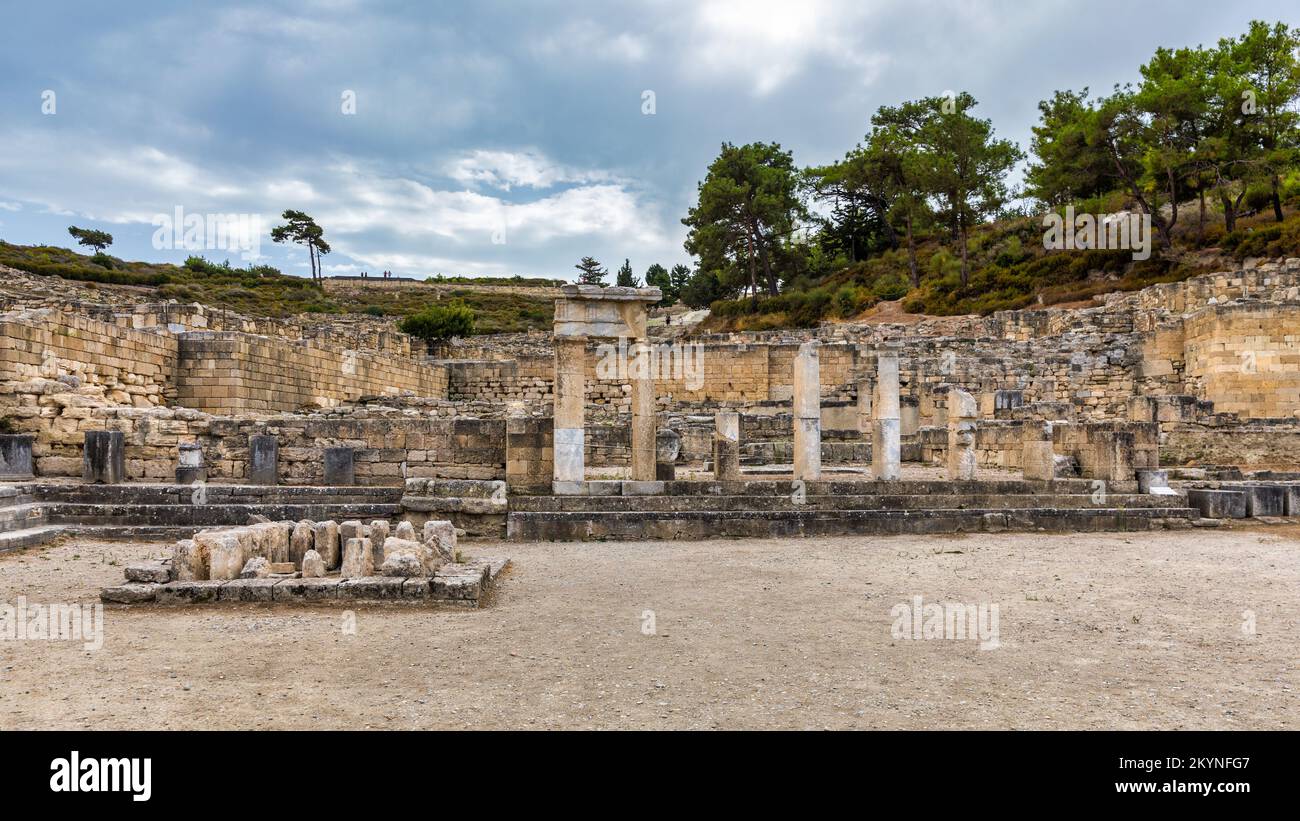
(166, 516)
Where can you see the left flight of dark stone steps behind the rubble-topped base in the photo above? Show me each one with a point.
(32, 514)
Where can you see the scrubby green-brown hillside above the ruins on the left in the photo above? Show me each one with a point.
(275, 296)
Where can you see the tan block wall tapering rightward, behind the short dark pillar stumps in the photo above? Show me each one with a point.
(229, 373)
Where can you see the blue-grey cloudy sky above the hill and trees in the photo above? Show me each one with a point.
(499, 137)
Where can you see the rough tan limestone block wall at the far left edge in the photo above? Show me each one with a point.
(90, 360)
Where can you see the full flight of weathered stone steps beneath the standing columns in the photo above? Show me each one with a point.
(778, 509)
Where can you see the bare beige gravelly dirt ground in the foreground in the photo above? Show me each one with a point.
(1111, 631)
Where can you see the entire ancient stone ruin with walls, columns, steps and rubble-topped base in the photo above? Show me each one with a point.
(1171, 407)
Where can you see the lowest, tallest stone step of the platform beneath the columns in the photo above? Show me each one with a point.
(786, 524)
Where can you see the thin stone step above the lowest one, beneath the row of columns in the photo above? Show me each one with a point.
(636, 505)
